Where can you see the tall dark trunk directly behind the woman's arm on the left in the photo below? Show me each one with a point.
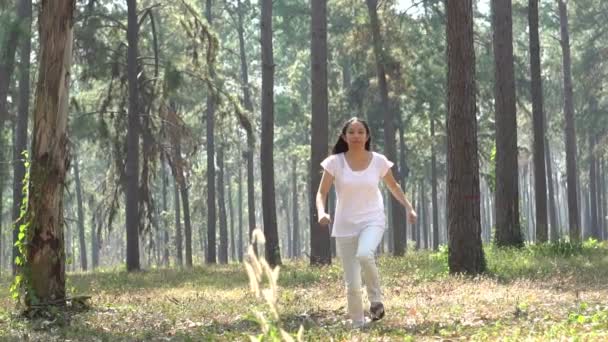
(320, 244)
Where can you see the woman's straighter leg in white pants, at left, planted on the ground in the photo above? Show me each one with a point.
(347, 248)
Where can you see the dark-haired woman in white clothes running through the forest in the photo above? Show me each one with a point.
(359, 221)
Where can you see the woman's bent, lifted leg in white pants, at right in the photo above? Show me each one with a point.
(369, 239)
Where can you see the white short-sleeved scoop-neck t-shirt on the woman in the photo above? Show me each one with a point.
(358, 199)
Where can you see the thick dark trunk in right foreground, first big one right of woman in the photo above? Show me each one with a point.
(465, 250)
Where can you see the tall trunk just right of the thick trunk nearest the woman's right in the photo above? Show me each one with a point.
(508, 231)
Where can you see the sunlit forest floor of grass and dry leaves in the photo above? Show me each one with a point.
(550, 292)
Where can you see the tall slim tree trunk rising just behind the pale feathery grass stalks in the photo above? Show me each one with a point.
(269, 212)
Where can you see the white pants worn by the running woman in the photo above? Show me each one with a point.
(358, 260)
